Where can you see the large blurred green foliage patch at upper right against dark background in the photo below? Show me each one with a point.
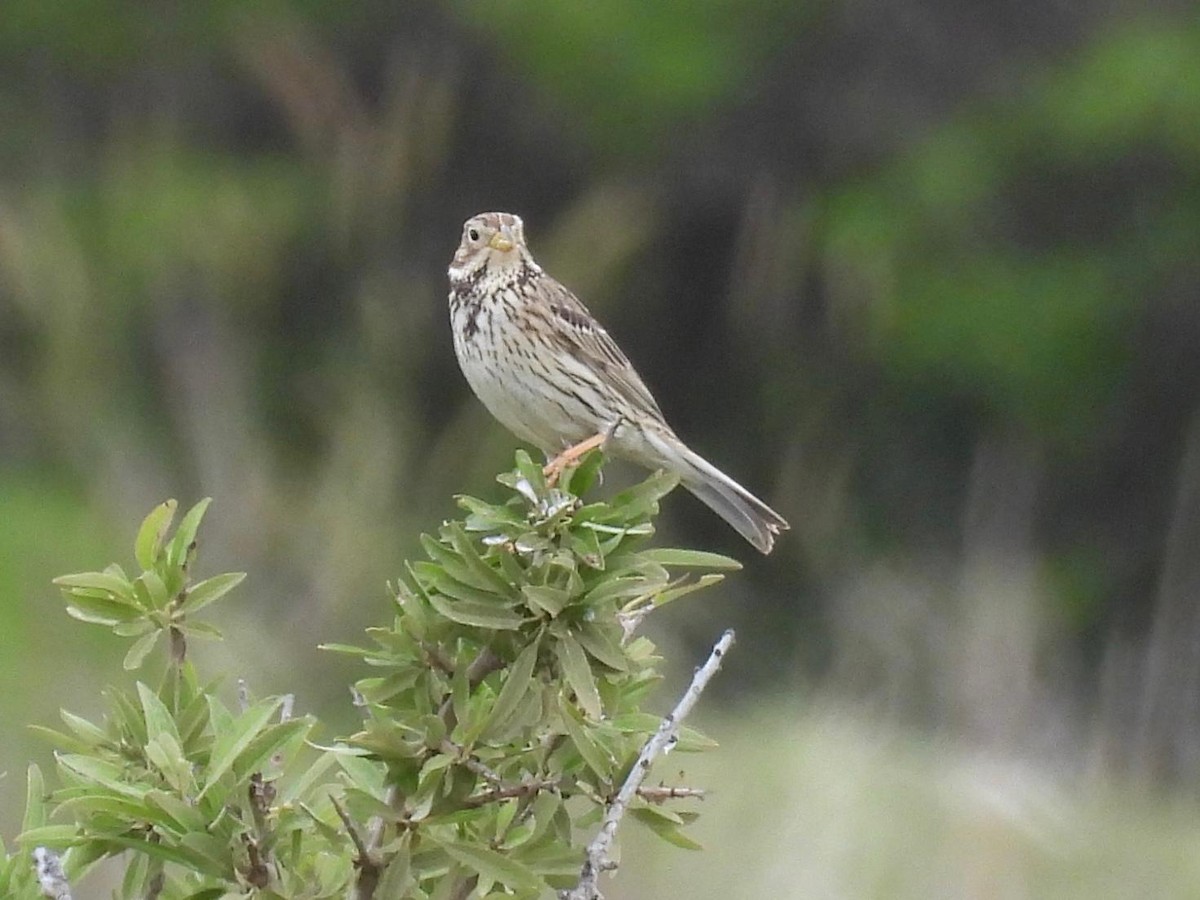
(963, 302)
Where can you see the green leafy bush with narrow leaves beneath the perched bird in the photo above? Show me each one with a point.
(503, 717)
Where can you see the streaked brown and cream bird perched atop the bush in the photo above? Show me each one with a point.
(553, 376)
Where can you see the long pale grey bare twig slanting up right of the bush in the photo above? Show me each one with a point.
(597, 859)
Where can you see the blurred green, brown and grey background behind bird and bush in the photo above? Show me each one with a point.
(923, 275)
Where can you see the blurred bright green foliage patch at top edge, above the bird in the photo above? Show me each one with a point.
(626, 75)
